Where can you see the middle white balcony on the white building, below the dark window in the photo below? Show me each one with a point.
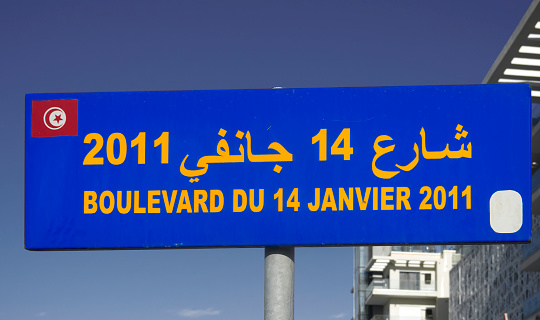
(381, 290)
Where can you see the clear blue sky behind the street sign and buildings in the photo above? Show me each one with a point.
(67, 46)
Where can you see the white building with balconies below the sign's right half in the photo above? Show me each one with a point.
(403, 282)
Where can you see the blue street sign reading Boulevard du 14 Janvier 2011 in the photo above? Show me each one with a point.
(303, 167)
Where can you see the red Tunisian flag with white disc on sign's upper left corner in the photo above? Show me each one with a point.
(54, 118)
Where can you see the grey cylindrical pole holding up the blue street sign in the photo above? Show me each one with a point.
(279, 283)
